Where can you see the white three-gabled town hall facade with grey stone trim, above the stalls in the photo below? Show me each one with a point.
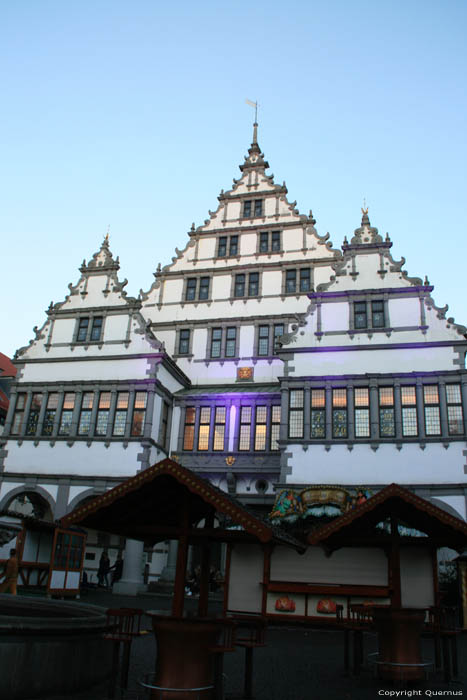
(260, 357)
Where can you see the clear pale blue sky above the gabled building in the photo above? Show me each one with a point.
(133, 114)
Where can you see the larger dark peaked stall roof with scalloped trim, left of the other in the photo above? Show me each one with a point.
(168, 500)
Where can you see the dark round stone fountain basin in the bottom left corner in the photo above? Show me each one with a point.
(50, 647)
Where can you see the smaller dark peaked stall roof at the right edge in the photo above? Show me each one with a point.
(394, 501)
